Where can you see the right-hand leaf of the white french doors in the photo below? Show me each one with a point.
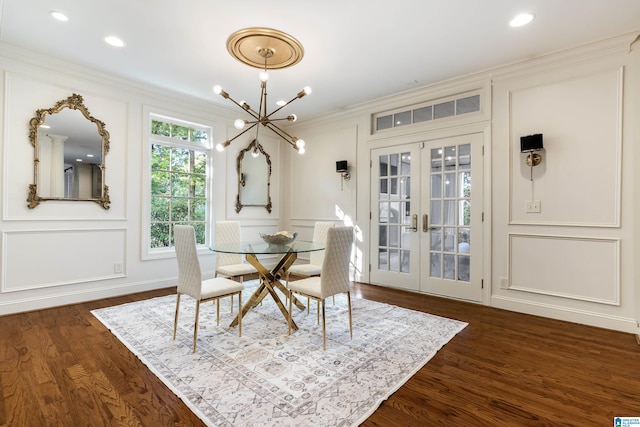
(454, 217)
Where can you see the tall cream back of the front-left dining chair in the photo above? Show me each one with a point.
(189, 274)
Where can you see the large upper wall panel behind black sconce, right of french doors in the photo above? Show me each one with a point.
(578, 181)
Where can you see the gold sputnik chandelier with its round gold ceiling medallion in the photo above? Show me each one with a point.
(267, 49)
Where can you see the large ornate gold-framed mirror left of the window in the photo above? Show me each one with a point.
(69, 149)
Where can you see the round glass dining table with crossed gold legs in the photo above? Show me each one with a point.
(270, 277)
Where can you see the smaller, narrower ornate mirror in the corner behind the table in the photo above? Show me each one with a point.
(254, 177)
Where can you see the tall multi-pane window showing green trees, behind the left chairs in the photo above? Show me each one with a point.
(179, 159)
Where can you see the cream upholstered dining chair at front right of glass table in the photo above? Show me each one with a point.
(334, 278)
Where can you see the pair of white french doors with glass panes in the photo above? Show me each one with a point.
(426, 217)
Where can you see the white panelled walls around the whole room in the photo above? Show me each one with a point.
(575, 260)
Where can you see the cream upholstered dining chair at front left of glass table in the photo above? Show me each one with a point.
(190, 281)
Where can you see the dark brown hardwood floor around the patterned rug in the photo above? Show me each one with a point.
(62, 367)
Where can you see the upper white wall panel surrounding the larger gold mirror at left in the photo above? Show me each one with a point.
(24, 95)
